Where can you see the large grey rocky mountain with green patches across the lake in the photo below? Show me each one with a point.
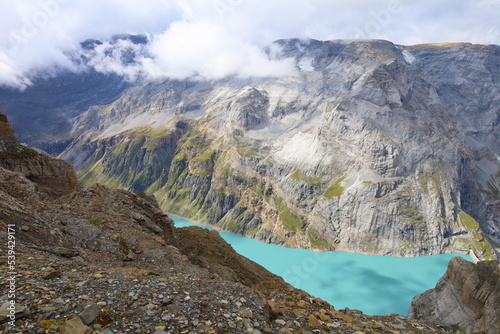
(371, 147)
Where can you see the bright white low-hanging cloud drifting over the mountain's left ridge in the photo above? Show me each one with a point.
(199, 51)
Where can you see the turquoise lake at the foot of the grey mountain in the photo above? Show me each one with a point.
(376, 285)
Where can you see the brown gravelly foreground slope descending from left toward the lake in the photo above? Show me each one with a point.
(103, 260)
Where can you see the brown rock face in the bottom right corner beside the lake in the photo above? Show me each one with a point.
(467, 296)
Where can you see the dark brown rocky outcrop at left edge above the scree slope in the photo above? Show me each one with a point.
(52, 177)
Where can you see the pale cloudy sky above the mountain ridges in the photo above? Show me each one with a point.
(210, 39)
